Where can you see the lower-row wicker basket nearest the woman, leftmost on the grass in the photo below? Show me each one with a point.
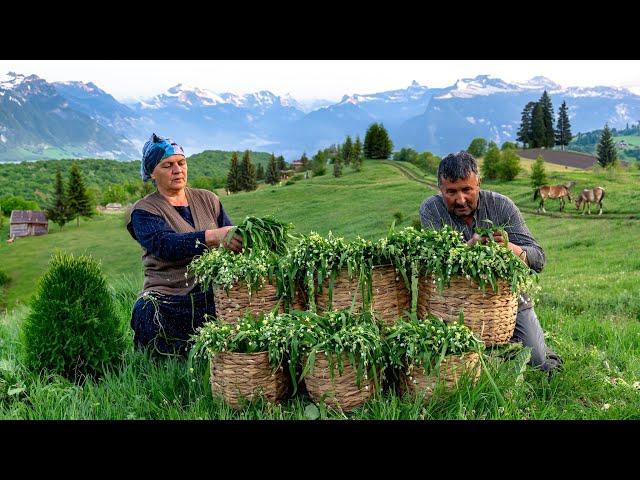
(239, 376)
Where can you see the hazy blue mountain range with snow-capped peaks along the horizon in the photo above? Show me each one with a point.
(39, 119)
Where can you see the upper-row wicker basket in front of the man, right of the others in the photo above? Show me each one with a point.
(491, 316)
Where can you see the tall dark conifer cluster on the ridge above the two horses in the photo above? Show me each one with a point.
(537, 128)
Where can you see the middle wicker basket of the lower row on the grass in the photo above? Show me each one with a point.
(341, 392)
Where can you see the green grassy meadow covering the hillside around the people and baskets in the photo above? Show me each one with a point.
(589, 307)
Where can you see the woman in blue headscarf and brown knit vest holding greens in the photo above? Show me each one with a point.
(173, 224)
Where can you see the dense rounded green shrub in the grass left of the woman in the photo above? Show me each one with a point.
(73, 328)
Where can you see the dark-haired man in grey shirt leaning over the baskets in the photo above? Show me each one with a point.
(463, 205)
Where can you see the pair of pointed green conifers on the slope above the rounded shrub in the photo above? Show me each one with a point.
(71, 202)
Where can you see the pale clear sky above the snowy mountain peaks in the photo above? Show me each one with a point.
(315, 79)
